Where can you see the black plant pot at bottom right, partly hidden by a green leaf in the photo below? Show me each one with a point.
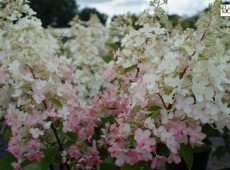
(200, 160)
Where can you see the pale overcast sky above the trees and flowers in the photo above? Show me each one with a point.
(115, 7)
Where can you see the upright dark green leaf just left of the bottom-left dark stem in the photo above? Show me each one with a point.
(49, 158)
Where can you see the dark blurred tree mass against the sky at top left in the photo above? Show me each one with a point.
(59, 13)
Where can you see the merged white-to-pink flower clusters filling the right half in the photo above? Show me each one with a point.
(174, 84)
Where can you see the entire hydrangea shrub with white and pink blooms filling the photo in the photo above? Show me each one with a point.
(147, 106)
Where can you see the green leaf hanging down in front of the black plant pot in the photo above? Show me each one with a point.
(187, 154)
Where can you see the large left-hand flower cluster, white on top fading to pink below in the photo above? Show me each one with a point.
(37, 98)
